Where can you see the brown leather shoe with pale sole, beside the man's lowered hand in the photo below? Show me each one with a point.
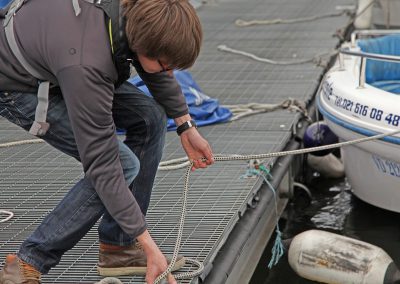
(129, 260)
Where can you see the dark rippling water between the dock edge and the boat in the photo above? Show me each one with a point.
(335, 209)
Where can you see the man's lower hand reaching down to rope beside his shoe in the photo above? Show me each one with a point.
(156, 261)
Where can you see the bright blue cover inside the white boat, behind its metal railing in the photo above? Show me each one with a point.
(381, 74)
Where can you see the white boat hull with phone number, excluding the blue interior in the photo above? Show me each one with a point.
(373, 168)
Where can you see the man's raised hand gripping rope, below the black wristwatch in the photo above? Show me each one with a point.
(197, 148)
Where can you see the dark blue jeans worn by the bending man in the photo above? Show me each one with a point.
(145, 124)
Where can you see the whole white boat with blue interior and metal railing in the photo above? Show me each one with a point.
(360, 97)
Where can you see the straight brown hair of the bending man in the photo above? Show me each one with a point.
(169, 30)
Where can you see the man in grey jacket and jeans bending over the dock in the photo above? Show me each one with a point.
(84, 51)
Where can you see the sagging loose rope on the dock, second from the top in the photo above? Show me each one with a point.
(316, 59)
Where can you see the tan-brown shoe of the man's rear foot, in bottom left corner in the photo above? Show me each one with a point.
(16, 271)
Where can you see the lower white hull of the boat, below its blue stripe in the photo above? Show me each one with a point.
(373, 173)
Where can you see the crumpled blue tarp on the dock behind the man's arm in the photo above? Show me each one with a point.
(203, 109)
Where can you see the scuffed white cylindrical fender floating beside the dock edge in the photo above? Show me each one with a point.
(330, 258)
